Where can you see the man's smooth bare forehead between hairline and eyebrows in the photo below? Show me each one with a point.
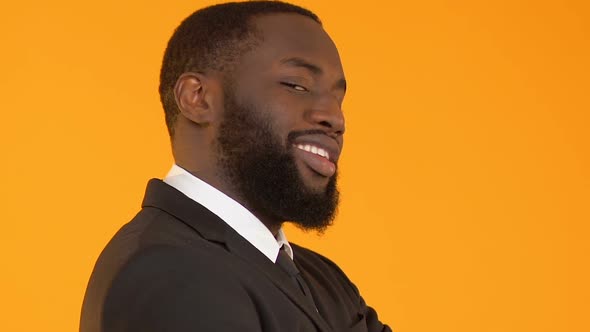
(285, 36)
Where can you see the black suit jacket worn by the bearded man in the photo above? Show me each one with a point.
(178, 267)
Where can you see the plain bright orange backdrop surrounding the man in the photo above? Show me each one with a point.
(465, 175)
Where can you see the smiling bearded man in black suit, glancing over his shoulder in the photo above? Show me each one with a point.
(252, 94)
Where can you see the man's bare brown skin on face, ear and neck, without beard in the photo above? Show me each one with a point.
(294, 75)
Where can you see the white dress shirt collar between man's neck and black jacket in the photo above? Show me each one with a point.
(230, 211)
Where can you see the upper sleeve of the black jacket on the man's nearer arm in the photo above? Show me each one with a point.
(166, 289)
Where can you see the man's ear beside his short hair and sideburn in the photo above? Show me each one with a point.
(191, 93)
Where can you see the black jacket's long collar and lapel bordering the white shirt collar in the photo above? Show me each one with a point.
(162, 196)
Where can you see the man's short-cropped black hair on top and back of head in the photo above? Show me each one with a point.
(213, 38)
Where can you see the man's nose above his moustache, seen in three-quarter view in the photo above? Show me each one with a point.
(327, 114)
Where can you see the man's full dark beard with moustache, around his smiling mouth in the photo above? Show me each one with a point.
(255, 161)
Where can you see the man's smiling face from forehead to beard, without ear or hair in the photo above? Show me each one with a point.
(281, 134)
